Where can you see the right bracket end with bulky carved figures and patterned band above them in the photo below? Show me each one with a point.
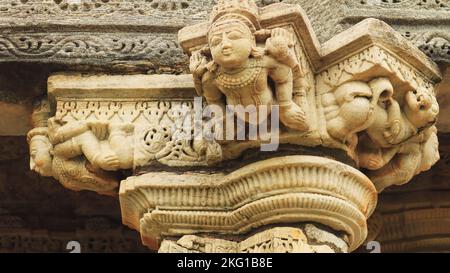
(390, 127)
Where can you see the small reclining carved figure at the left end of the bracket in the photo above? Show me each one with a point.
(64, 161)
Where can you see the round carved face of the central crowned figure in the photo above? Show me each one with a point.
(231, 44)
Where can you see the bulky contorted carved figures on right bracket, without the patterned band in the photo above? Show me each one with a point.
(393, 134)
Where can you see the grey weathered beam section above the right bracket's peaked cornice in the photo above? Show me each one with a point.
(425, 23)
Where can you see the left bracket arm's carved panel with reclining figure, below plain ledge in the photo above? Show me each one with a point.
(85, 143)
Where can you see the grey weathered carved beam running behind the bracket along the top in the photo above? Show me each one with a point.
(145, 32)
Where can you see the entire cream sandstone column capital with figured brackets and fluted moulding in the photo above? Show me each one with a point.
(364, 98)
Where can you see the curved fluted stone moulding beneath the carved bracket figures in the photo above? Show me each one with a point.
(291, 190)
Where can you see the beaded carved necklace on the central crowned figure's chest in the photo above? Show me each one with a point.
(242, 78)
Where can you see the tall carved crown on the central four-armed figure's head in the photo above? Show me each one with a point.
(243, 10)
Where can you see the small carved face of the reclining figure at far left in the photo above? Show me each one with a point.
(40, 156)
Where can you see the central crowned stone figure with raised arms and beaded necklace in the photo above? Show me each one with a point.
(233, 70)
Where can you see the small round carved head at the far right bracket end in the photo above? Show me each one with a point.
(421, 108)
